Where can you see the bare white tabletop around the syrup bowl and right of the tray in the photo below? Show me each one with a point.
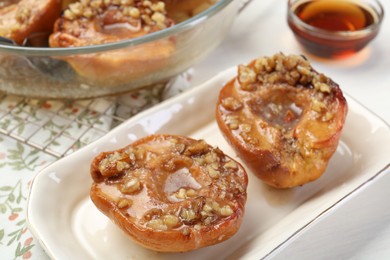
(360, 228)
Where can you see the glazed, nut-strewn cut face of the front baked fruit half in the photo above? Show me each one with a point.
(186, 201)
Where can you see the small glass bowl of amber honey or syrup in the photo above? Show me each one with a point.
(334, 28)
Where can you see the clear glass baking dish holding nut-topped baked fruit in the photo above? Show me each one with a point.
(106, 47)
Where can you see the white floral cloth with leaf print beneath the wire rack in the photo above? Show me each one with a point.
(36, 133)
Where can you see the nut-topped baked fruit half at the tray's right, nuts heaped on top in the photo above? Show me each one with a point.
(283, 118)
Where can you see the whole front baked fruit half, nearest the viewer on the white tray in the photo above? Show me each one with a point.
(170, 193)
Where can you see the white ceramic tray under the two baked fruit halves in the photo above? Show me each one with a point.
(68, 226)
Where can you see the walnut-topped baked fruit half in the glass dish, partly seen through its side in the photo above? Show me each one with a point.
(91, 24)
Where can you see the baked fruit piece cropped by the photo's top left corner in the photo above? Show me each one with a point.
(20, 19)
